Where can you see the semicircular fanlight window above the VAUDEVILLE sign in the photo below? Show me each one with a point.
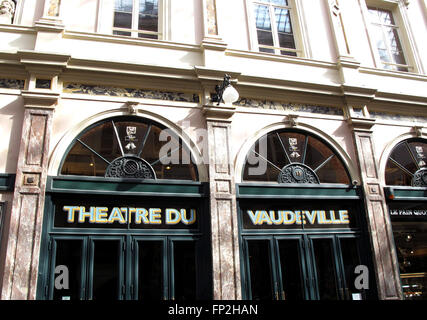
(293, 157)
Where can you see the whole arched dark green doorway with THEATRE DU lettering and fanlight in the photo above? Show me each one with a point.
(126, 217)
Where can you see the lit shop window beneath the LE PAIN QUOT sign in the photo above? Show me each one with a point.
(411, 244)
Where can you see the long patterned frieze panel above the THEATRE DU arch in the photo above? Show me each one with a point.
(78, 88)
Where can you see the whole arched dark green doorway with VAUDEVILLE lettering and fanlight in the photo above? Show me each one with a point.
(302, 230)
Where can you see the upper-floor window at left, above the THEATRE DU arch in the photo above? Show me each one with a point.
(136, 18)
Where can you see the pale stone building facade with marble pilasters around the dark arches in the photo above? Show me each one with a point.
(65, 75)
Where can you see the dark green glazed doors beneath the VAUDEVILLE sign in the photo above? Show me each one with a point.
(301, 267)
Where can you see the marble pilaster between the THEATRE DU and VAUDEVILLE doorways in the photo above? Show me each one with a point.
(224, 228)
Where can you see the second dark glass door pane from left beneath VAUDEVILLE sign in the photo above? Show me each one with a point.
(291, 268)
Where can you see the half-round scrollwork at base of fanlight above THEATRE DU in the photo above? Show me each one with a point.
(130, 167)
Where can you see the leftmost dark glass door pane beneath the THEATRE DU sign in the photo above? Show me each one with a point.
(68, 254)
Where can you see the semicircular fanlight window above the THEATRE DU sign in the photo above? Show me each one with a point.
(128, 148)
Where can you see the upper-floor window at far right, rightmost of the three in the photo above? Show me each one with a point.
(386, 37)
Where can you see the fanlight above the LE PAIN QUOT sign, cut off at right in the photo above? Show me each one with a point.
(407, 164)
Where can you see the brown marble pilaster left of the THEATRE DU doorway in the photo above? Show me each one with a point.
(24, 234)
